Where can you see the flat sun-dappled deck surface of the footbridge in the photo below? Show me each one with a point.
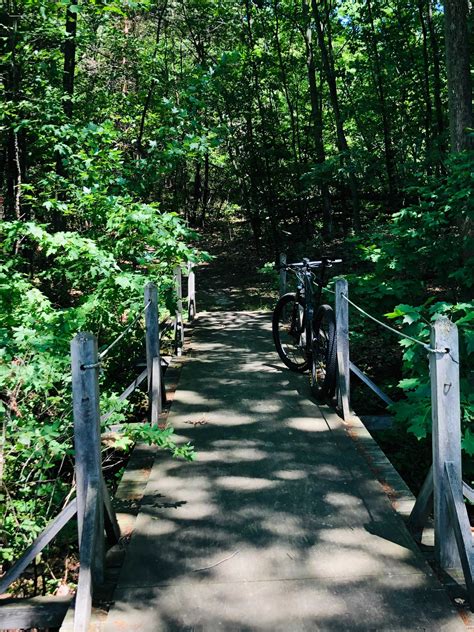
(279, 525)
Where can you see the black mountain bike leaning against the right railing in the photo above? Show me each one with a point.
(304, 329)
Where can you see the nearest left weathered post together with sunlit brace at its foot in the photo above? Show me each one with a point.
(88, 469)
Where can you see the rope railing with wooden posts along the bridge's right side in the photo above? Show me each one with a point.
(443, 488)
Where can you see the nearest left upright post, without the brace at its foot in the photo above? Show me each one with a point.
(87, 439)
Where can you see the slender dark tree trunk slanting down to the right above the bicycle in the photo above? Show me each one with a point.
(329, 70)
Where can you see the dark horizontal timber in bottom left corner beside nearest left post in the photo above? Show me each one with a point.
(35, 612)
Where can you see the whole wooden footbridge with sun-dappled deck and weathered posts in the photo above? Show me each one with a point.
(280, 523)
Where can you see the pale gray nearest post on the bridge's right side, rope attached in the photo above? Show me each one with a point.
(446, 414)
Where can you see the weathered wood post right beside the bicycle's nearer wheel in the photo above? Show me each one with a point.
(342, 346)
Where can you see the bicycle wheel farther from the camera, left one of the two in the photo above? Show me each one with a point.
(287, 329)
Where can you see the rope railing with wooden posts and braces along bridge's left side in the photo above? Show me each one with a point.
(95, 514)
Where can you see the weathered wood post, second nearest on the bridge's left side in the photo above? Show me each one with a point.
(153, 361)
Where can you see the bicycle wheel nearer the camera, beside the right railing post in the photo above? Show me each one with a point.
(323, 373)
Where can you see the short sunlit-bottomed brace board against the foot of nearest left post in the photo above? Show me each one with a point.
(83, 603)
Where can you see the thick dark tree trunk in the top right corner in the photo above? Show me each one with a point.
(458, 72)
